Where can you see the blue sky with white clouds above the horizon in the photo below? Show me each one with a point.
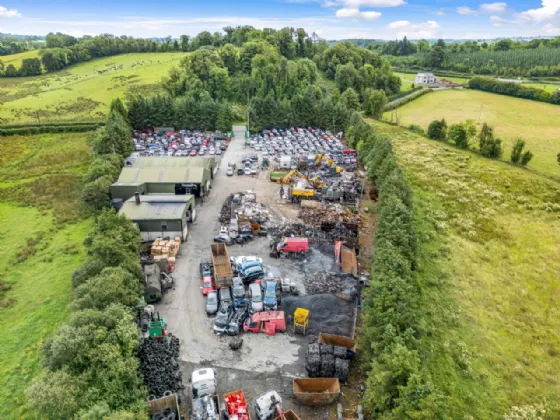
(329, 19)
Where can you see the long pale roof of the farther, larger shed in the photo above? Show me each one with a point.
(163, 175)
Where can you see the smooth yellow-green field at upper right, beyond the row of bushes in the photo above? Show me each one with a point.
(536, 122)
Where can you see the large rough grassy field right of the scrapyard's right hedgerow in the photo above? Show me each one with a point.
(489, 274)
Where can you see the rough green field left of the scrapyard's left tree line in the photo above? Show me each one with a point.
(42, 234)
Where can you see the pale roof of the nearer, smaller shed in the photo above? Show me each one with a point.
(157, 207)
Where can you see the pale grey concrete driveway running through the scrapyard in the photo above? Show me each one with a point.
(263, 362)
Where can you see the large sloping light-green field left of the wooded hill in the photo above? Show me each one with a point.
(79, 93)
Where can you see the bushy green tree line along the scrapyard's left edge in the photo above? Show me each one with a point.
(91, 368)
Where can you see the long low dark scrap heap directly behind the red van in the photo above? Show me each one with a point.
(335, 232)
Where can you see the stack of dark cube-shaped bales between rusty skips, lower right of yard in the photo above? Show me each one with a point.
(327, 361)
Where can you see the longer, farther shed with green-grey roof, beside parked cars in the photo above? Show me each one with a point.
(194, 180)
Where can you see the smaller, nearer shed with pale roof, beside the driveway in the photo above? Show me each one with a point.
(160, 215)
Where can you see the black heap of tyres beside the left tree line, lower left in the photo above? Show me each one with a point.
(160, 367)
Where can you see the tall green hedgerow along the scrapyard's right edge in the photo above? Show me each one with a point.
(396, 386)
